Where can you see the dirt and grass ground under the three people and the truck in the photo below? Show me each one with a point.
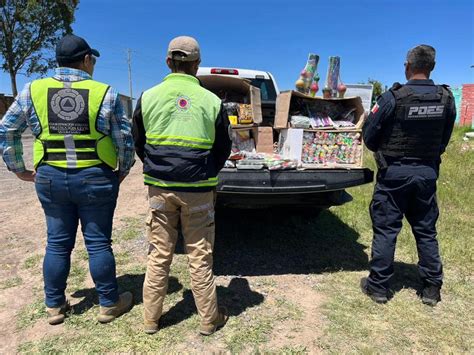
(290, 281)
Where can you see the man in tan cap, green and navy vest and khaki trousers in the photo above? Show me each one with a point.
(181, 136)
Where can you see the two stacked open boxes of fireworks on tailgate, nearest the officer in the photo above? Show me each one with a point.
(332, 146)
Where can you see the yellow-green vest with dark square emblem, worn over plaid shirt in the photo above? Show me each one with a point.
(67, 113)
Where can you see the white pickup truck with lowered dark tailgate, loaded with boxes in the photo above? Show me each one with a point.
(318, 188)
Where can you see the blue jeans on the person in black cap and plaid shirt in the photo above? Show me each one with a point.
(68, 196)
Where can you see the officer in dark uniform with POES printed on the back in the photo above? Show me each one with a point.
(408, 129)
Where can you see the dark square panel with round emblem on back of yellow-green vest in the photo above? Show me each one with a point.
(68, 111)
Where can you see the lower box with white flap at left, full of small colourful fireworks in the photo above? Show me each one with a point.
(294, 144)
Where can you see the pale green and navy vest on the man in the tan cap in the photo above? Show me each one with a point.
(179, 117)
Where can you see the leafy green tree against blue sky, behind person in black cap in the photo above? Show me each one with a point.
(29, 32)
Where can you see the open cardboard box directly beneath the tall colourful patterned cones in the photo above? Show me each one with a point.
(298, 110)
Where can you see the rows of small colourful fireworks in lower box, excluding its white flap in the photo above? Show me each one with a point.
(332, 149)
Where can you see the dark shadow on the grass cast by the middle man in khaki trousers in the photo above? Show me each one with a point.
(236, 297)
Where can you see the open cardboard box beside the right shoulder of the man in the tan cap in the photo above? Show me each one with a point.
(241, 100)
